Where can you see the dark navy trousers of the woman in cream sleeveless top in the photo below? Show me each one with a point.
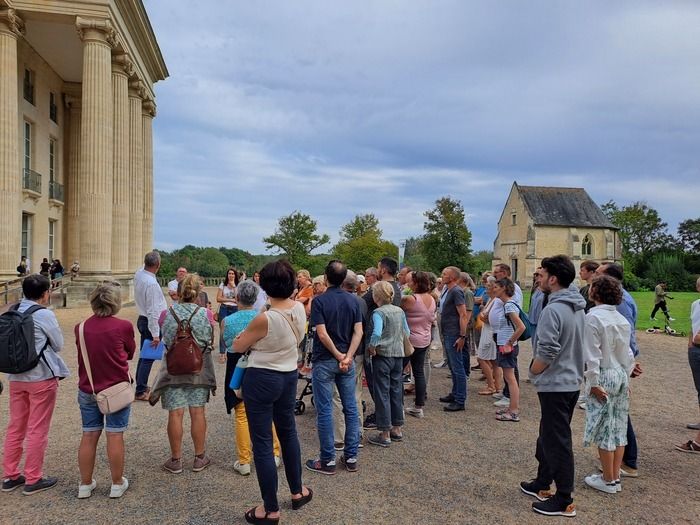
(269, 396)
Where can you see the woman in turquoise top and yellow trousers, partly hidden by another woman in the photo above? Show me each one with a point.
(246, 295)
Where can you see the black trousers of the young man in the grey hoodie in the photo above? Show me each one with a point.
(554, 449)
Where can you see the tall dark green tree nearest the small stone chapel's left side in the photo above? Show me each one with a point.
(447, 240)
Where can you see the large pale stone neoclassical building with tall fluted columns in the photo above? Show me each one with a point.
(76, 145)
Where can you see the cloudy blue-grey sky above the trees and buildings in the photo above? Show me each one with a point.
(343, 108)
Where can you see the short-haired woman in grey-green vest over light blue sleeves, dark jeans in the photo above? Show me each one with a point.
(386, 349)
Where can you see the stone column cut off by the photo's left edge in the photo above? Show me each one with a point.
(11, 27)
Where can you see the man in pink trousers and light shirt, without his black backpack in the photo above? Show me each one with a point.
(33, 395)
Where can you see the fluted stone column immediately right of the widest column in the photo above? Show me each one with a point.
(121, 70)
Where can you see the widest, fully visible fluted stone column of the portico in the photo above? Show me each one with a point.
(96, 135)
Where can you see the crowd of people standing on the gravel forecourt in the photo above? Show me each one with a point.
(378, 327)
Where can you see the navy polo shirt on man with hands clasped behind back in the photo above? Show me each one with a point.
(338, 311)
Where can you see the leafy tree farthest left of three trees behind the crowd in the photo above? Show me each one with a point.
(296, 237)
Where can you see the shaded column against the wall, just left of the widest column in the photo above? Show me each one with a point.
(72, 207)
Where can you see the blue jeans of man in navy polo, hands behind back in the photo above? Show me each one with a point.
(326, 374)
